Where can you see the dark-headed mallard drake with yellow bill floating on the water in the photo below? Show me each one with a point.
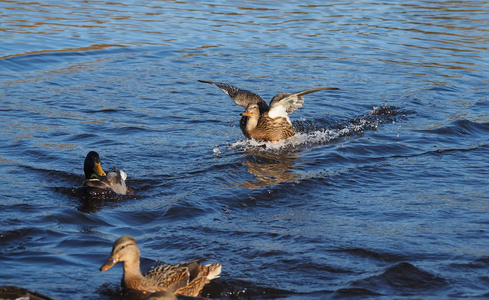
(97, 180)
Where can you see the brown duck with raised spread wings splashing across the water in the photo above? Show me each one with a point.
(262, 121)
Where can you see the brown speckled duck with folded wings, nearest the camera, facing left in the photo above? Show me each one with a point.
(186, 279)
